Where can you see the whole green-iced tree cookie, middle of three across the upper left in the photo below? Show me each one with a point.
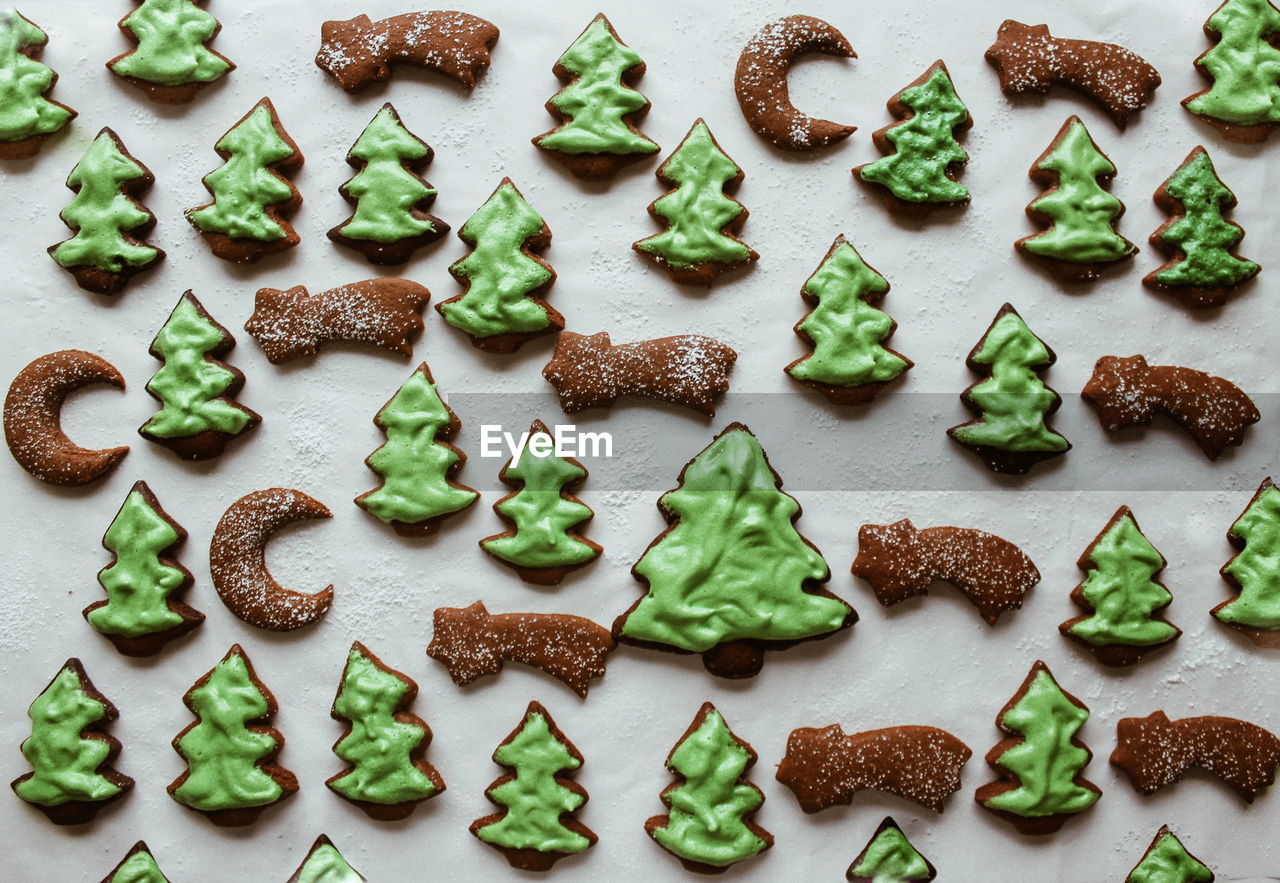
(252, 190)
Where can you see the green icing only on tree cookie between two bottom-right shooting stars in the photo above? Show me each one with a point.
(1046, 761)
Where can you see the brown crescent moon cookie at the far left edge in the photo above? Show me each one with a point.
(33, 418)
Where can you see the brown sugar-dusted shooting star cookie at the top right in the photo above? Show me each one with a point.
(1030, 60)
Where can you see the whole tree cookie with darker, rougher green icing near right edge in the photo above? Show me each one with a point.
(1204, 268)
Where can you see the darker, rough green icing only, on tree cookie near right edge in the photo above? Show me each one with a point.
(1201, 232)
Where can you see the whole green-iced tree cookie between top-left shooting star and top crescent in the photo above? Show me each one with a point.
(598, 109)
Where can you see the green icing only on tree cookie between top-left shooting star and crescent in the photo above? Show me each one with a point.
(597, 102)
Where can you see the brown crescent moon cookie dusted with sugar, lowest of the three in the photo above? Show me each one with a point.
(239, 568)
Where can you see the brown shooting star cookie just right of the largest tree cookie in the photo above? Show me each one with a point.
(900, 562)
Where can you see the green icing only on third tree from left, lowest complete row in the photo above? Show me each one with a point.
(381, 743)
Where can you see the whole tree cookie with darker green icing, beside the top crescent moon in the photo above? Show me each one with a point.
(924, 157)
